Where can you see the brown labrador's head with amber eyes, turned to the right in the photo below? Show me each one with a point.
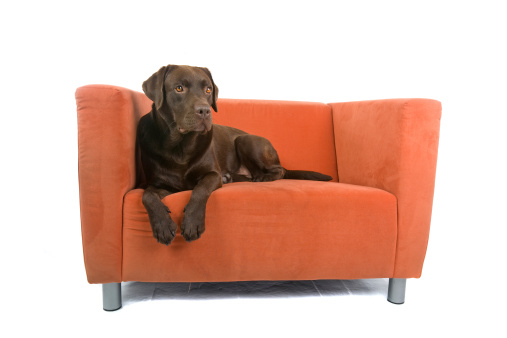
(183, 95)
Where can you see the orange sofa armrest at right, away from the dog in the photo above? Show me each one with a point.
(392, 145)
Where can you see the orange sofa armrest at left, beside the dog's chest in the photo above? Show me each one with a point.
(107, 122)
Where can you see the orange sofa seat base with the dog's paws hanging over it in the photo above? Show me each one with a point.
(282, 230)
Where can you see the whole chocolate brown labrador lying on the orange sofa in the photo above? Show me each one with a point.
(181, 149)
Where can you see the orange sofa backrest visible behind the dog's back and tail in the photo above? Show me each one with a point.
(301, 132)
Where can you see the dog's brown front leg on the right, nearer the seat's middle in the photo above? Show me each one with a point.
(192, 226)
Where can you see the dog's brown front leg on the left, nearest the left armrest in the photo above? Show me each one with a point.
(163, 227)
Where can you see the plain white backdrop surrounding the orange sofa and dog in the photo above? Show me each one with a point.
(452, 51)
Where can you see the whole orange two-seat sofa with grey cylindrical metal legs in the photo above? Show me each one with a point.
(371, 221)
